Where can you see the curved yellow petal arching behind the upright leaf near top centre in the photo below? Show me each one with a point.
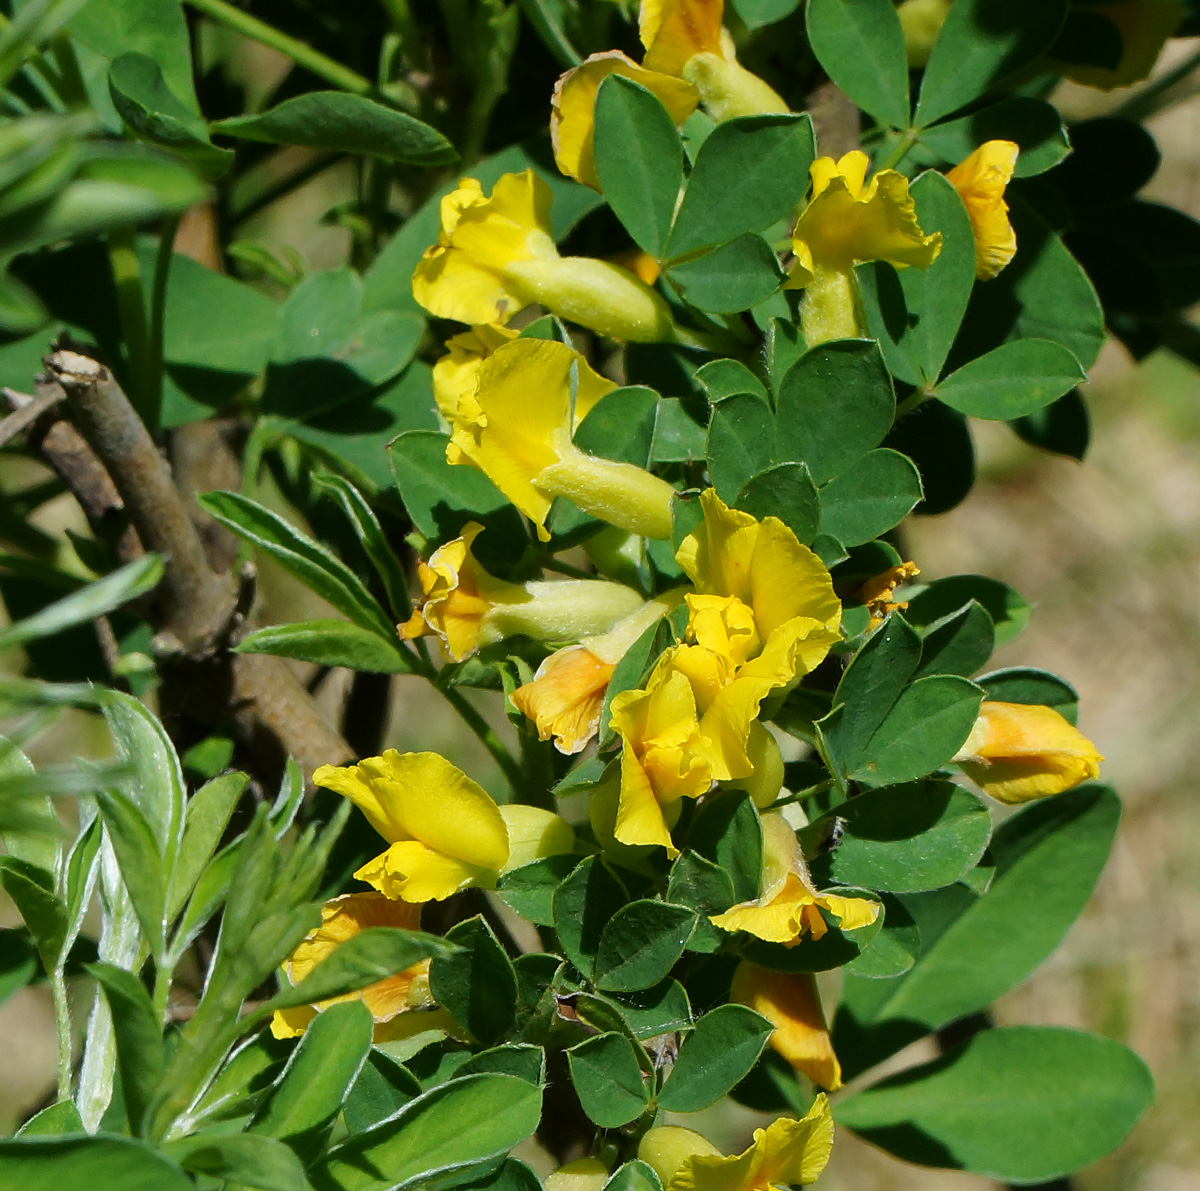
(573, 109)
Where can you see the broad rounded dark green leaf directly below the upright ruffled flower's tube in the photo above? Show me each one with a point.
(836, 404)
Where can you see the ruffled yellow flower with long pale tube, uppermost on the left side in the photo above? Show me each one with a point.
(496, 255)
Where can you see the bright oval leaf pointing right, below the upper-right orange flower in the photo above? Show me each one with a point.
(1012, 381)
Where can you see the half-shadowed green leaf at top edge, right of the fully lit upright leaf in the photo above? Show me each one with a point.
(982, 43)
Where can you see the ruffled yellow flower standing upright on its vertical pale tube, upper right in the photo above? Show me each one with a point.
(847, 223)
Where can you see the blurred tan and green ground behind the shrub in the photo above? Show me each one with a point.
(1108, 554)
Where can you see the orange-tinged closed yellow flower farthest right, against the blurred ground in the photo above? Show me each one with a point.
(1022, 752)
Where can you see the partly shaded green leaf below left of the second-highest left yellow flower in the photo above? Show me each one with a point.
(442, 499)
